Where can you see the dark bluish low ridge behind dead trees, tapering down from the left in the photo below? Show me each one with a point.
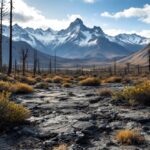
(42, 57)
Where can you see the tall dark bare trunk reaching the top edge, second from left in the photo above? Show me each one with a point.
(10, 39)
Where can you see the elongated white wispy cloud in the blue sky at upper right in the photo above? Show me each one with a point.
(141, 13)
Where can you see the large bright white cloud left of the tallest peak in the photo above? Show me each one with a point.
(28, 16)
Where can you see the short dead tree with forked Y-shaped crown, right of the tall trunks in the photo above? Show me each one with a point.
(24, 55)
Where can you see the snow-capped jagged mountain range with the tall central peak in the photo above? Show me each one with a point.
(78, 42)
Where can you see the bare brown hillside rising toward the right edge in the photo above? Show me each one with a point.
(138, 58)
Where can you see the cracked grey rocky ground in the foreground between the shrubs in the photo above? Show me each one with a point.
(78, 117)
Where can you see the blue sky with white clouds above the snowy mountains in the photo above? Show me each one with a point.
(113, 16)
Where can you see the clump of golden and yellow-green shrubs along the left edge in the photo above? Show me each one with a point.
(11, 112)
